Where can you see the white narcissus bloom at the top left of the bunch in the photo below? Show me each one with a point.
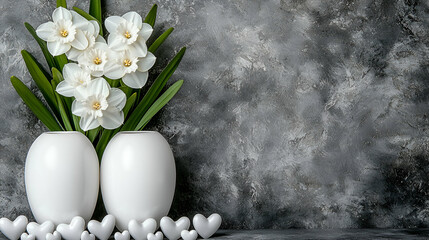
(66, 31)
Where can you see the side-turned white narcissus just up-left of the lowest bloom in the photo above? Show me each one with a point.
(74, 77)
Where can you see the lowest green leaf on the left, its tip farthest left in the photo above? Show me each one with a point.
(35, 105)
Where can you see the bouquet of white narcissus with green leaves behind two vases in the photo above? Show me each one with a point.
(95, 81)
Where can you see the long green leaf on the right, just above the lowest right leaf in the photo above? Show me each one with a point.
(153, 92)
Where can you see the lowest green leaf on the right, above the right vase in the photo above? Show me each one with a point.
(164, 99)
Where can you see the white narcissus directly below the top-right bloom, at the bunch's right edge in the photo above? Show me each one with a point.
(132, 69)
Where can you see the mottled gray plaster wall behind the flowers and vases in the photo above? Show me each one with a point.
(293, 114)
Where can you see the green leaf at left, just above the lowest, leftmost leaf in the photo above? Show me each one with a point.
(41, 81)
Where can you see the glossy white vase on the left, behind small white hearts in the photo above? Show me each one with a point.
(62, 177)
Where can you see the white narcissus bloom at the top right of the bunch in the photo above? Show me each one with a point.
(128, 33)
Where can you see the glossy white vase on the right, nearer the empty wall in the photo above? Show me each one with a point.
(138, 177)
